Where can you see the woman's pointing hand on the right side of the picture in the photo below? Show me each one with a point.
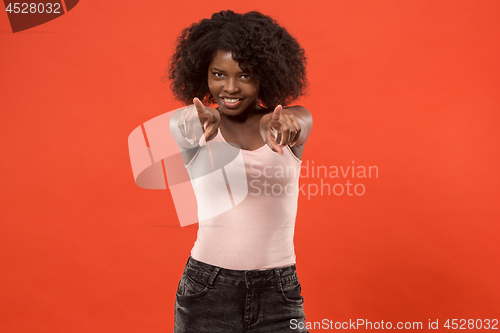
(279, 129)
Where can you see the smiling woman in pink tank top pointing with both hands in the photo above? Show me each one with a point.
(241, 274)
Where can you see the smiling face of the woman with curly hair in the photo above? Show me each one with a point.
(234, 90)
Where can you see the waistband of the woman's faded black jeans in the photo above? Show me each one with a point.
(240, 278)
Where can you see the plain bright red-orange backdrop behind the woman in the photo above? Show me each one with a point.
(411, 87)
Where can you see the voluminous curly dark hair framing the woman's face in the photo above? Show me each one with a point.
(257, 43)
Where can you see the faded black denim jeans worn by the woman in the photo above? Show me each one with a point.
(212, 299)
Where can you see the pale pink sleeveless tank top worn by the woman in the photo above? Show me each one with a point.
(247, 204)
